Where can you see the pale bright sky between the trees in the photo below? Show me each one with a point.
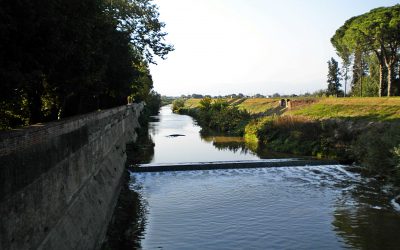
(251, 46)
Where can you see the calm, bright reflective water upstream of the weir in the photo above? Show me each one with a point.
(191, 147)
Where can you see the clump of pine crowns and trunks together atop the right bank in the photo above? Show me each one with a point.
(374, 34)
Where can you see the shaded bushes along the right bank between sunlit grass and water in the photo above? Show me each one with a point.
(374, 146)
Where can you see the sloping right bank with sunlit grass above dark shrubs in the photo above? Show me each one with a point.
(361, 130)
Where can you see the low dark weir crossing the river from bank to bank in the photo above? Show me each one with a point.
(229, 165)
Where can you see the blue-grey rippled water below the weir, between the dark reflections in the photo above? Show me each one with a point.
(276, 208)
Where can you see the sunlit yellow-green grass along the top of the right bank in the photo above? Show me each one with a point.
(368, 108)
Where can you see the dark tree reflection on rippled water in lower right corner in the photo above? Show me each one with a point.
(365, 219)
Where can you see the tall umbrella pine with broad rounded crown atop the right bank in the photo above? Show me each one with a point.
(377, 32)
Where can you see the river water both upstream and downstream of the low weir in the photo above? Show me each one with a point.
(321, 207)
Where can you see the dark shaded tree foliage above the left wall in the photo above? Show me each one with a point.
(60, 58)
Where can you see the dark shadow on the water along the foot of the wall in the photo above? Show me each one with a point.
(128, 223)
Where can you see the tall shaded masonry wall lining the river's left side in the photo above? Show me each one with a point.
(59, 182)
